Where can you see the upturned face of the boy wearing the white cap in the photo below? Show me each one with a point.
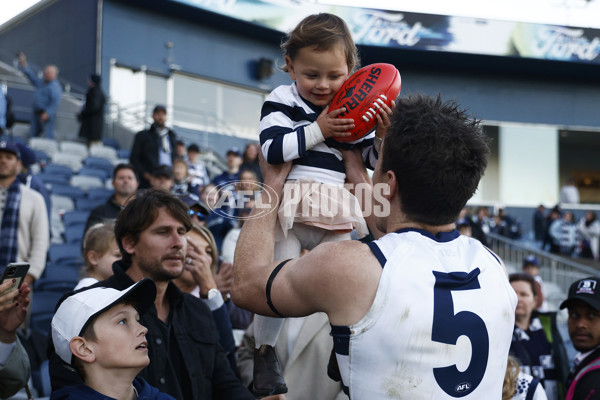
(120, 339)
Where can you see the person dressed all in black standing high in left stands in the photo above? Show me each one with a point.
(91, 116)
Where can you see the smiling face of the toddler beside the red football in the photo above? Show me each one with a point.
(318, 74)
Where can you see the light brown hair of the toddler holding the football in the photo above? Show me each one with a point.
(322, 31)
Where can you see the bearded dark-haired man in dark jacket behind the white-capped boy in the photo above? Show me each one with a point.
(186, 359)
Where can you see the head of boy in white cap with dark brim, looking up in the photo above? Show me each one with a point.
(99, 328)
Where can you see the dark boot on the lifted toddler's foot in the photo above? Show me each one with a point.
(267, 373)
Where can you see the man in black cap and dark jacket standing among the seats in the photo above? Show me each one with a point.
(153, 147)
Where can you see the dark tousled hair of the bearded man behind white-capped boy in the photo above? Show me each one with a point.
(141, 212)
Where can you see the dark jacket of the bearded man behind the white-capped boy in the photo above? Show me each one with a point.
(208, 369)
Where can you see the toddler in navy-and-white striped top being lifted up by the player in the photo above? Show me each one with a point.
(296, 125)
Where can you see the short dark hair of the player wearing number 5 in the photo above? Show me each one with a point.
(438, 154)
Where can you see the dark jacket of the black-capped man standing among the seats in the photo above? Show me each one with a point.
(144, 153)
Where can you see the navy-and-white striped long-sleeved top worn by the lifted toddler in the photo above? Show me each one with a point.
(284, 116)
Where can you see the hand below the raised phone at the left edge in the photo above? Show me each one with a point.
(13, 314)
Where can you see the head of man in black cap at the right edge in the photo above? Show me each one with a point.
(584, 313)
